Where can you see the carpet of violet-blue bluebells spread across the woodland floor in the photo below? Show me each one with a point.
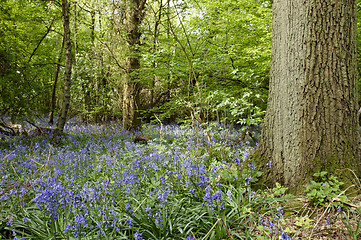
(83, 181)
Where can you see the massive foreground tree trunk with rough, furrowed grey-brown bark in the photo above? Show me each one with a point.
(311, 122)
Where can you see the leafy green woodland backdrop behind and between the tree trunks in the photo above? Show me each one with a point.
(200, 58)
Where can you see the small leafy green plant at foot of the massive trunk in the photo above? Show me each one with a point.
(325, 189)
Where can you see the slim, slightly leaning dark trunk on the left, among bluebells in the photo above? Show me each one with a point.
(67, 75)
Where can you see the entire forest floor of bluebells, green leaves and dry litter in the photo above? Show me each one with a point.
(191, 181)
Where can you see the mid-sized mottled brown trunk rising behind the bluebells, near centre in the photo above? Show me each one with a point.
(132, 86)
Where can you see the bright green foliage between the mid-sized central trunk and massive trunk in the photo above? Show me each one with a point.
(218, 69)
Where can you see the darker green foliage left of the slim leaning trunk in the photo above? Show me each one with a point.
(25, 62)
